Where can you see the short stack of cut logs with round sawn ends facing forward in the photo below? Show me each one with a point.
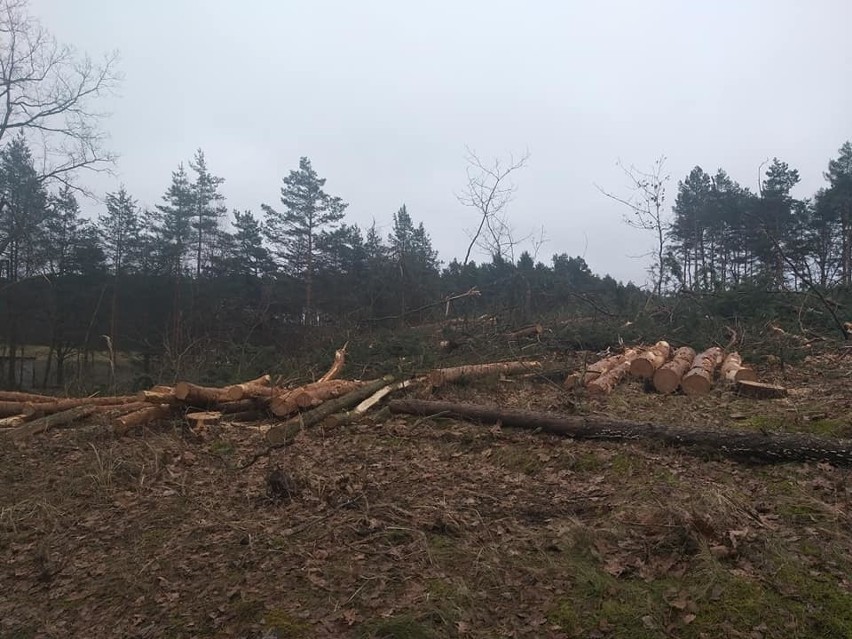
(669, 370)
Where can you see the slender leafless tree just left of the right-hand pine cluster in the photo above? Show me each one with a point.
(647, 209)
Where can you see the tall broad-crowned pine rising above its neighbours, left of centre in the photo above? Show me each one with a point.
(294, 232)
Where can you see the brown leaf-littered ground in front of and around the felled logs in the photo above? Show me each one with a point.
(419, 528)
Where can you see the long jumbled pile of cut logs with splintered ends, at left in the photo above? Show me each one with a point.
(24, 414)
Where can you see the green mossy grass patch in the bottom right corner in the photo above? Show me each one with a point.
(704, 602)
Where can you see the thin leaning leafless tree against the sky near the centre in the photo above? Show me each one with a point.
(489, 191)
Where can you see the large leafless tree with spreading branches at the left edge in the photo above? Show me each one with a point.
(47, 91)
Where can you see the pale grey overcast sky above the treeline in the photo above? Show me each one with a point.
(383, 97)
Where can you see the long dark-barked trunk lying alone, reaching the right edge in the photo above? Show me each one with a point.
(735, 444)
